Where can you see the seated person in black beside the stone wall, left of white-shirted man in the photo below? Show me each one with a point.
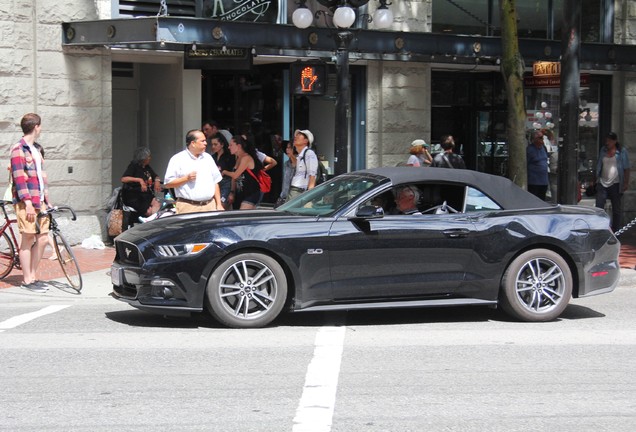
(140, 182)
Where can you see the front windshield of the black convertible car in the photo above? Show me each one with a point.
(330, 196)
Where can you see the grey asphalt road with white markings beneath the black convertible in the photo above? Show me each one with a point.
(89, 363)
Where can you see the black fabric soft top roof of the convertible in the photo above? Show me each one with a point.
(502, 190)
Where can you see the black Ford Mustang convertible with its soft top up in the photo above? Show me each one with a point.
(477, 240)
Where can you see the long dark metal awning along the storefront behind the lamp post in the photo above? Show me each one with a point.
(178, 33)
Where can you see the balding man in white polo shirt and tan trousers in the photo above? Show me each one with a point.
(194, 176)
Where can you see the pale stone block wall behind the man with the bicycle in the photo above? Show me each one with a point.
(72, 94)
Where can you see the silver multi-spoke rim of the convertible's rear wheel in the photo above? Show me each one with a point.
(540, 285)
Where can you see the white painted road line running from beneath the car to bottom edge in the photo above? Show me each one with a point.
(316, 406)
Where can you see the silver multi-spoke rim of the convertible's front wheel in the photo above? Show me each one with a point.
(248, 289)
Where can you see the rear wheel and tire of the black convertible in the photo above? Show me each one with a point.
(536, 286)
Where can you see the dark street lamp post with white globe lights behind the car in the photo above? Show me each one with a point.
(343, 17)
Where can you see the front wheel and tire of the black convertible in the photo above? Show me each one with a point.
(236, 299)
